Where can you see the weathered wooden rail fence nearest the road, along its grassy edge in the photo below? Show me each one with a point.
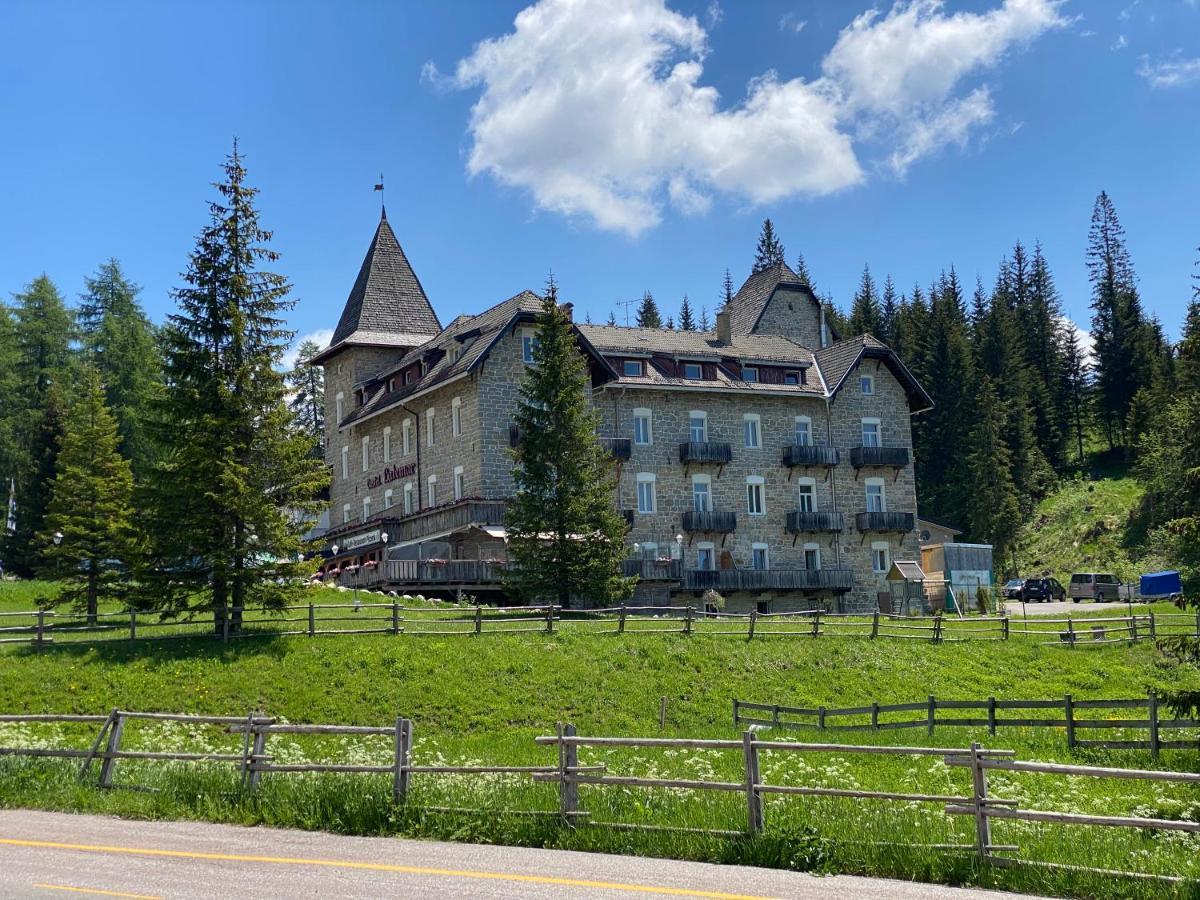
(567, 772)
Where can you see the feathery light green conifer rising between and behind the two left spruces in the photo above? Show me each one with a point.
(121, 341)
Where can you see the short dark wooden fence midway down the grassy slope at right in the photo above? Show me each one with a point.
(934, 713)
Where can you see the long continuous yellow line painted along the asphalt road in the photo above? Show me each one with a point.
(386, 868)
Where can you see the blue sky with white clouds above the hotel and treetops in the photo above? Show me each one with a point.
(625, 153)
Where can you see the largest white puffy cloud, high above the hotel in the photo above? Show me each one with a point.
(598, 107)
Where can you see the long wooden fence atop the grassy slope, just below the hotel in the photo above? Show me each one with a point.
(46, 628)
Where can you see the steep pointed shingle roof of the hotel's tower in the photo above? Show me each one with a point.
(387, 305)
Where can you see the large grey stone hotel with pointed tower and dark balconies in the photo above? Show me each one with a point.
(771, 459)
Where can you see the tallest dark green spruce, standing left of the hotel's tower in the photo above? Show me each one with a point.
(236, 489)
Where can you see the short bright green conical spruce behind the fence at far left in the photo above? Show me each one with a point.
(88, 542)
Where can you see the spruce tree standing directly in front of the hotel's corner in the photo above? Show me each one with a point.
(566, 536)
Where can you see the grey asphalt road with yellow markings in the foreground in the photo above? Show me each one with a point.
(53, 855)
